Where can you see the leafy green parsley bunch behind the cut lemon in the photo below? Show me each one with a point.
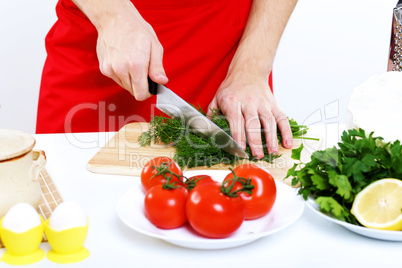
(334, 176)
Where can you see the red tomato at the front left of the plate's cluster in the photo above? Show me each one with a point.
(166, 208)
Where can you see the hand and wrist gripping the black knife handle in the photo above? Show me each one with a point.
(127, 47)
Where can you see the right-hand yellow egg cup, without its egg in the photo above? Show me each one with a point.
(67, 245)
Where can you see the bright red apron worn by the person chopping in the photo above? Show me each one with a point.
(199, 40)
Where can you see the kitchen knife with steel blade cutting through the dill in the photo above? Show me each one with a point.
(174, 106)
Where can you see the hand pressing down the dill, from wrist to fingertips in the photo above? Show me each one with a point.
(249, 107)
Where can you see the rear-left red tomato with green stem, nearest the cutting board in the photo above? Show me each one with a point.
(150, 175)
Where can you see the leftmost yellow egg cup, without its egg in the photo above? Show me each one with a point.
(22, 248)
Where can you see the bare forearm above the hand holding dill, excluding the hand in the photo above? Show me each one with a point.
(258, 45)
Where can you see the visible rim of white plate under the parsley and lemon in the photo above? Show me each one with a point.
(369, 232)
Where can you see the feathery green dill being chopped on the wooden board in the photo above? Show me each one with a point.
(193, 150)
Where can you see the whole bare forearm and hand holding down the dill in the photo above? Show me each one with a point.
(244, 96)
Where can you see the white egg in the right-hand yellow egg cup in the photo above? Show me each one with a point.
(67, 215)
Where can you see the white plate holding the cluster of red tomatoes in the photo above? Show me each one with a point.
(287, 209)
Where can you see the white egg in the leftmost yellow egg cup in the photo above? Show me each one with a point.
(21, 217)
